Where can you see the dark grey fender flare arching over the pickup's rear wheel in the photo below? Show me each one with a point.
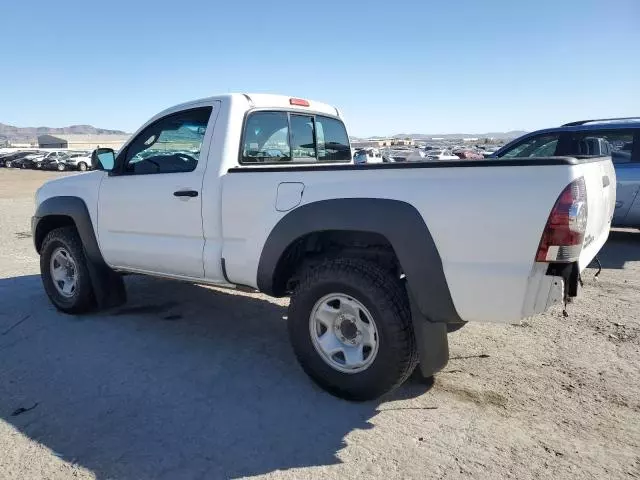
(399, 222)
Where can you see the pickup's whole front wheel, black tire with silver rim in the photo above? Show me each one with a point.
(64, 273)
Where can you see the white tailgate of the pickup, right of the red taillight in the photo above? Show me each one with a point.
(600, 182)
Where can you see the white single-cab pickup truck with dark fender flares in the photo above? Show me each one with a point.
(380, 261)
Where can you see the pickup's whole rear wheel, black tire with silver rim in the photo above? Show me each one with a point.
(350, 328)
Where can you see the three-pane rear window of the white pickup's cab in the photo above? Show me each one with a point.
(283, 137)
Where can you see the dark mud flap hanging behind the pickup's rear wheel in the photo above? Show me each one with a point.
(431, 341)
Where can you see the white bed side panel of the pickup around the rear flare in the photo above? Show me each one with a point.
(486, 222)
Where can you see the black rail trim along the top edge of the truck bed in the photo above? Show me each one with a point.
(513, 162)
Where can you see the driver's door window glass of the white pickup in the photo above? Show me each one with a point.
(170, 145)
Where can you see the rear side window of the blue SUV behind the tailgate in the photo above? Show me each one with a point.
(617, 143)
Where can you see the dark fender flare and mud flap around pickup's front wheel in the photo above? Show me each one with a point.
(108, 285)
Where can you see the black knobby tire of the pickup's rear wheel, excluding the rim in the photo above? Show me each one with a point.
(387, 301)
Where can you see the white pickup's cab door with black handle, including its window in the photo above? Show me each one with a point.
(150, 205)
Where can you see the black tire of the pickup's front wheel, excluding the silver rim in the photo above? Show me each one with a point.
(83, 299)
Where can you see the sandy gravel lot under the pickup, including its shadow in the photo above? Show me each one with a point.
(192, 382)
